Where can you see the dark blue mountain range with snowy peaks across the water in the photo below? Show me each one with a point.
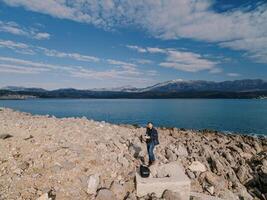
(247, 88)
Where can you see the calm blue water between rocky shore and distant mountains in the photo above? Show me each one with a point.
(243, 116)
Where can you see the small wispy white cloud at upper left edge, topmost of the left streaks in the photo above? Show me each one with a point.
(15, 29)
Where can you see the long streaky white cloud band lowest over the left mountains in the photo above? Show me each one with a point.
(121, 74)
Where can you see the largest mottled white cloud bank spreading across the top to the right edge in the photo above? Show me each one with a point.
(169, 19)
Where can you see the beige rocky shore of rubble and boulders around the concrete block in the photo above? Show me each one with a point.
(43, 157)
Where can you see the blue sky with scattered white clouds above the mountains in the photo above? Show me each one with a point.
(113, 43)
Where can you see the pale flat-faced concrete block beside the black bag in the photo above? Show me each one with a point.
(168, 177)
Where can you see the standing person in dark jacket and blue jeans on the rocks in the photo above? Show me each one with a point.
(151, 141)
